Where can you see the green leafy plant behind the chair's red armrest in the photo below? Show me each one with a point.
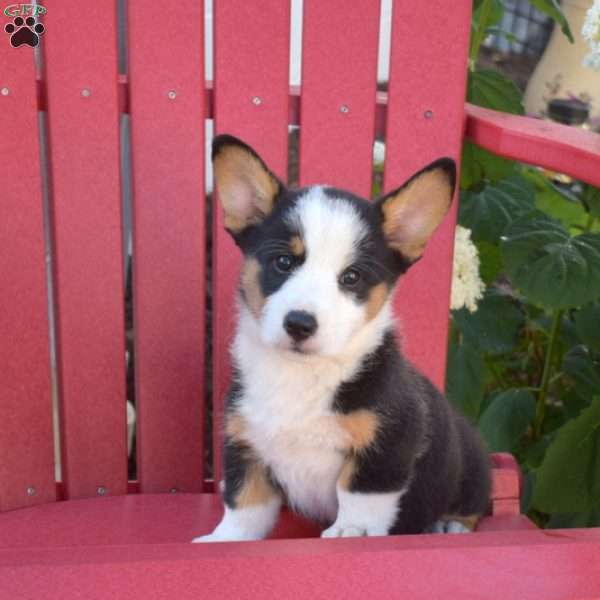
(525, 366)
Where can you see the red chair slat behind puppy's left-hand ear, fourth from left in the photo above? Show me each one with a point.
(251, 102)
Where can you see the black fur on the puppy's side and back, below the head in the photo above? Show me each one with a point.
(422, 443)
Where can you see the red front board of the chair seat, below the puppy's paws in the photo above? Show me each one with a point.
(509, 565)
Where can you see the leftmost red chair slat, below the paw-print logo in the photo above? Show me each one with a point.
(26, 443)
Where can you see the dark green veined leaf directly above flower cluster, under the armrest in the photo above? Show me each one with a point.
(489, 212)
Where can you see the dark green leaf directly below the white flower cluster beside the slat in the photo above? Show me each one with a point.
(494, 326)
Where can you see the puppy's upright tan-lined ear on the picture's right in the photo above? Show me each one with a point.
(413, 212)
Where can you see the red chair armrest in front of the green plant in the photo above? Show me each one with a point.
(534, 141)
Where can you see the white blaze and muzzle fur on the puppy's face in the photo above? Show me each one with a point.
(331, 231)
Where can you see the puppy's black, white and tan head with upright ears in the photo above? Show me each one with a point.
(320, 263)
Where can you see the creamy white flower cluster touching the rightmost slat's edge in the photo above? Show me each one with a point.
(467, 287)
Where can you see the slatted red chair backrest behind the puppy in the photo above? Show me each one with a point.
(81, 95)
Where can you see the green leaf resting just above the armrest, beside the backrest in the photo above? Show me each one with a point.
(491, 89)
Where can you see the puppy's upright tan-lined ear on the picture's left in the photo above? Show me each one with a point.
(246, 187)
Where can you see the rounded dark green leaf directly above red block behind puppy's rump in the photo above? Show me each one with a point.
(506, 419)
